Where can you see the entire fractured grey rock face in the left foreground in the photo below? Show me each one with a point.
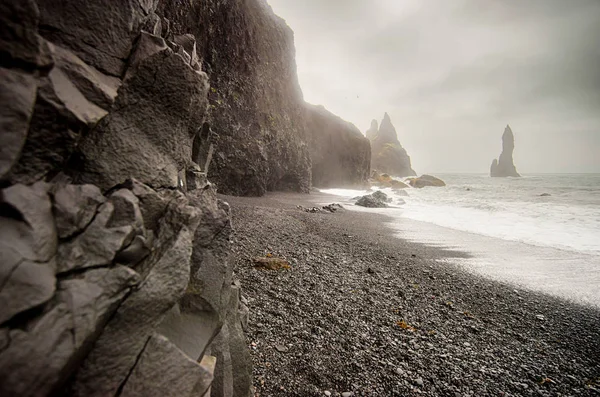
(115, 272)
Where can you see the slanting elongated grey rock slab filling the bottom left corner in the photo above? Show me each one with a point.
(41, 355)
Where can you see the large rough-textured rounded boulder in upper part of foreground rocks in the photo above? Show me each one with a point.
(151, 141)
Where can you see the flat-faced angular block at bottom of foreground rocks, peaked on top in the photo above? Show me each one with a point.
(164, 370)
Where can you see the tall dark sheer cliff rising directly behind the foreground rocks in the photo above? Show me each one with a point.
(256, 112)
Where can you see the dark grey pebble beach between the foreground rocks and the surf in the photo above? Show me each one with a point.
(362, 313)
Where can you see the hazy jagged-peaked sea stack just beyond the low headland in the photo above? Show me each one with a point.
(387, 154)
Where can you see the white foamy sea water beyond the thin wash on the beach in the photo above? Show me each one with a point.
(511, 209)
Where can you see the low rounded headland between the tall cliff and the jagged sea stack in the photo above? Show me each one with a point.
(340, 154)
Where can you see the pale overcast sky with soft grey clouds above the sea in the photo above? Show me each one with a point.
(453, 73)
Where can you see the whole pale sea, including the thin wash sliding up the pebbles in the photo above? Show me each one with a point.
(539, 232)
